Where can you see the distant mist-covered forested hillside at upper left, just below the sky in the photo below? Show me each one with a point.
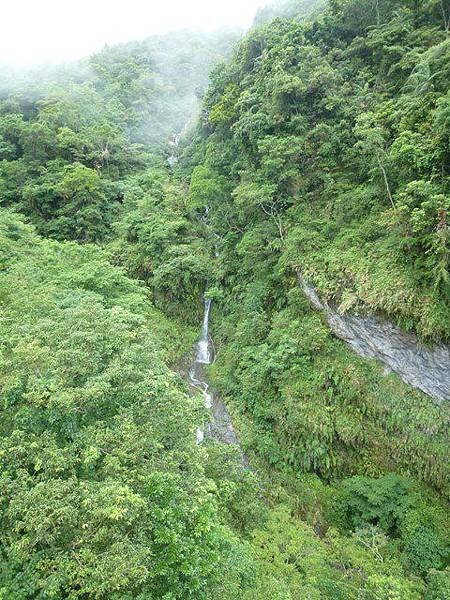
(68, 139)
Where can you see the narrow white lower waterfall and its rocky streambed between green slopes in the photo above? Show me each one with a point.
(219, 426)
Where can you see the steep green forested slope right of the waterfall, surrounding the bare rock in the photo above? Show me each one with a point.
(319, 152)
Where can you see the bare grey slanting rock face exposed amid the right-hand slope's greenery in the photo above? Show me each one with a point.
(427, 369)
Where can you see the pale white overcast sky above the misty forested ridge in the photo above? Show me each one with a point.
(37, 31)
